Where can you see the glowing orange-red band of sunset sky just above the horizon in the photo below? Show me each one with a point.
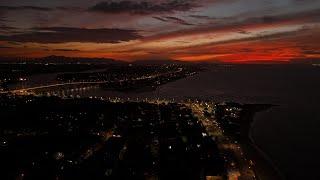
(297, 45)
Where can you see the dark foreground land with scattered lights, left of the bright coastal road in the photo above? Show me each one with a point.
(53, 138)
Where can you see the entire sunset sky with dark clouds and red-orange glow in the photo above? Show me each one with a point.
(190, 30)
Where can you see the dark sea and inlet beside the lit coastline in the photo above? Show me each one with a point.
(289, 133)
